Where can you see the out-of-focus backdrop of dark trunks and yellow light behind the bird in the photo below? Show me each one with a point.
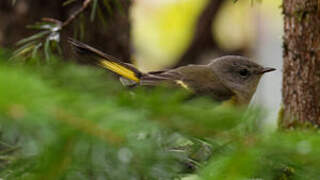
(158, 34)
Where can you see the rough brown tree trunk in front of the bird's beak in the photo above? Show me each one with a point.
(301, 63)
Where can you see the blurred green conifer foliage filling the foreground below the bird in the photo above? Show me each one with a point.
(66, 121)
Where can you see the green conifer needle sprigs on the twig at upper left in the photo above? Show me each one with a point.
(47, 39)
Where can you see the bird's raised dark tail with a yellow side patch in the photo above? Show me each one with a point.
(106, 61)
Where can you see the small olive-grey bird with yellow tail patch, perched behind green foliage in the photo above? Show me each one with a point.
(228, 79)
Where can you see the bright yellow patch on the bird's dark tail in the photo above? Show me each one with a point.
(119, 69)
